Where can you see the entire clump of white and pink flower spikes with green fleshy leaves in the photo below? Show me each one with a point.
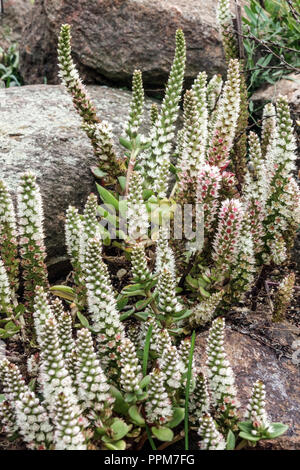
(114, 370)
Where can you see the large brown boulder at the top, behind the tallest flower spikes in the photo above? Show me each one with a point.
(113, 37)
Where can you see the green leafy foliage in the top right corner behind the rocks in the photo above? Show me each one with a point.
(271, 42)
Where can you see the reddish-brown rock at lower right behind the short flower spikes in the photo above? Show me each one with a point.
(252, 360)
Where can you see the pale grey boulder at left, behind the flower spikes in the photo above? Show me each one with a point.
(39, 130)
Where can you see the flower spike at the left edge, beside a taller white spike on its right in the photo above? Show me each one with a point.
(8, 237)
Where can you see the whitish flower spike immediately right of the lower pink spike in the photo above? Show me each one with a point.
(242, 276)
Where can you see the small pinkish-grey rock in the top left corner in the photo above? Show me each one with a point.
(12, 22)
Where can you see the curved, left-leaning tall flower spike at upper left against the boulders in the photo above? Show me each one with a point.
(70, 77)
